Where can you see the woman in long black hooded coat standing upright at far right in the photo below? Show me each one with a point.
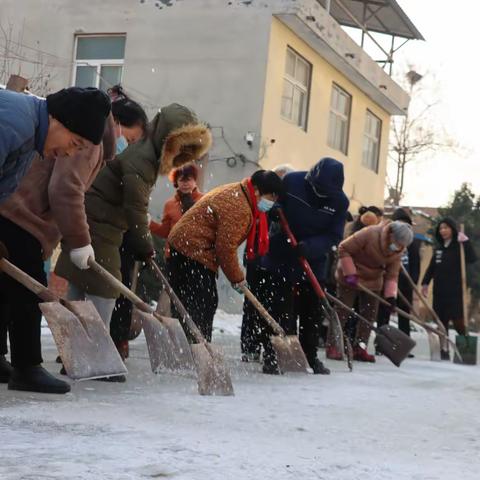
(445, 271)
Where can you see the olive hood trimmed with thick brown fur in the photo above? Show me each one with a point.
(178, 137)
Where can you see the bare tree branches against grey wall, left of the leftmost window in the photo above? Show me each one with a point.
(18, 59)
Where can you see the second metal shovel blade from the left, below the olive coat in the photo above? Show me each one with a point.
(167, 344)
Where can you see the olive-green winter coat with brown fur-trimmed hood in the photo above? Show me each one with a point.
(118, 199)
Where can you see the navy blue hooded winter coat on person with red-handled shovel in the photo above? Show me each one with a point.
(316, 208)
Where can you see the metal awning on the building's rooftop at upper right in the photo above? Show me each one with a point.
(381, 16)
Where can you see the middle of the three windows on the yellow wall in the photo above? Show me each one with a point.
(339, 125)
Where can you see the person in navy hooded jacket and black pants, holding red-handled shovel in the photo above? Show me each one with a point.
(315, 207)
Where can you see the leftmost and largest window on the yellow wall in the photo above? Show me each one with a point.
(296, 89)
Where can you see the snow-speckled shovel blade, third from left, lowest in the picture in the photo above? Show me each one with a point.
(212, 375)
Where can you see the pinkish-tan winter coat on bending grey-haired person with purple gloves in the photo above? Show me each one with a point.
(367, 255)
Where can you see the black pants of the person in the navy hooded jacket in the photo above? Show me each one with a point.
(296, 308)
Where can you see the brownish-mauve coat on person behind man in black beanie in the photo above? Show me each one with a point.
(50, 201)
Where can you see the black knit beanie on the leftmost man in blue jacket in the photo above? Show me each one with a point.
(81, 110)
